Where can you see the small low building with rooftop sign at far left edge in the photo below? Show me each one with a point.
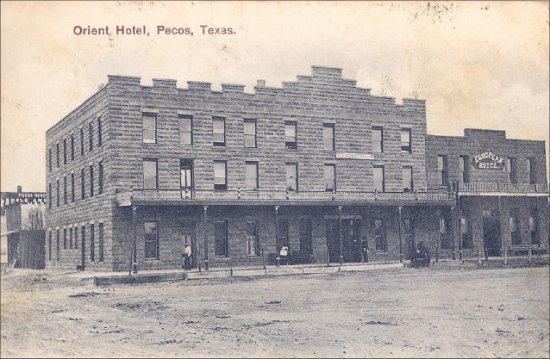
(23, 229)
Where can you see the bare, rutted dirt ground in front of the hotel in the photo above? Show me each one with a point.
(405, 312)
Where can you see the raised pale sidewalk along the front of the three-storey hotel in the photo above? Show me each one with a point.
(107, 278)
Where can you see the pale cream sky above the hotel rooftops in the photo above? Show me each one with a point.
(477, 64)
